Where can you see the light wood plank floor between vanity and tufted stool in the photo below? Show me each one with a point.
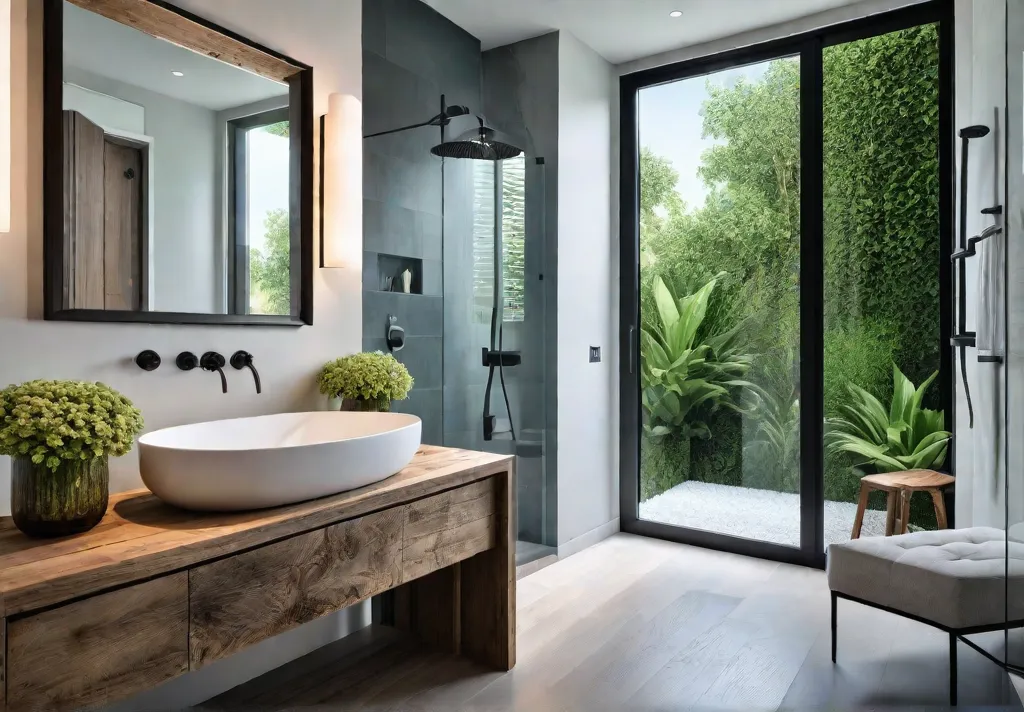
(635, 623)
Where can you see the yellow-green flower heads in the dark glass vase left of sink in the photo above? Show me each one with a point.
(54, 422)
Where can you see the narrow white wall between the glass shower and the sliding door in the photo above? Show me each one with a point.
(588, 433)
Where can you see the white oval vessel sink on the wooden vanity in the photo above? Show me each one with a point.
(271, 460)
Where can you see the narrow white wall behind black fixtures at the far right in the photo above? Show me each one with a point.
(980, 45)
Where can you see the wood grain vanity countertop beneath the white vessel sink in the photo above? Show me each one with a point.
(141, 537)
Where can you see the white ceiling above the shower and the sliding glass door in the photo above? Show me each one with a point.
(624, 30)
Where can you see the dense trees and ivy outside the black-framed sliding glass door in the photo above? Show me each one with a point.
(881, 263)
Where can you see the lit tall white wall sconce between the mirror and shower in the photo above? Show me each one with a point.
(342, 184)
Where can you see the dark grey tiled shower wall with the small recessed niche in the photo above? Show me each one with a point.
(411, 57)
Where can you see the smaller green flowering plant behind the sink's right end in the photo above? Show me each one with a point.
(366, 383)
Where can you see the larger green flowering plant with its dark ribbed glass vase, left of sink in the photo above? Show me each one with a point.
(60, 436)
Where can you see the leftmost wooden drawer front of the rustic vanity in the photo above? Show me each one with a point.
(101, 649)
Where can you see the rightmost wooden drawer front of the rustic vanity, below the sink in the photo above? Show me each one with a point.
(449, 528)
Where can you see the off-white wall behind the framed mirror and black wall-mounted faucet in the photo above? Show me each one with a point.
(325, 34)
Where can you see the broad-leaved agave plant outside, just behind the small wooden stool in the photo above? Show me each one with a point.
(909, 437)
